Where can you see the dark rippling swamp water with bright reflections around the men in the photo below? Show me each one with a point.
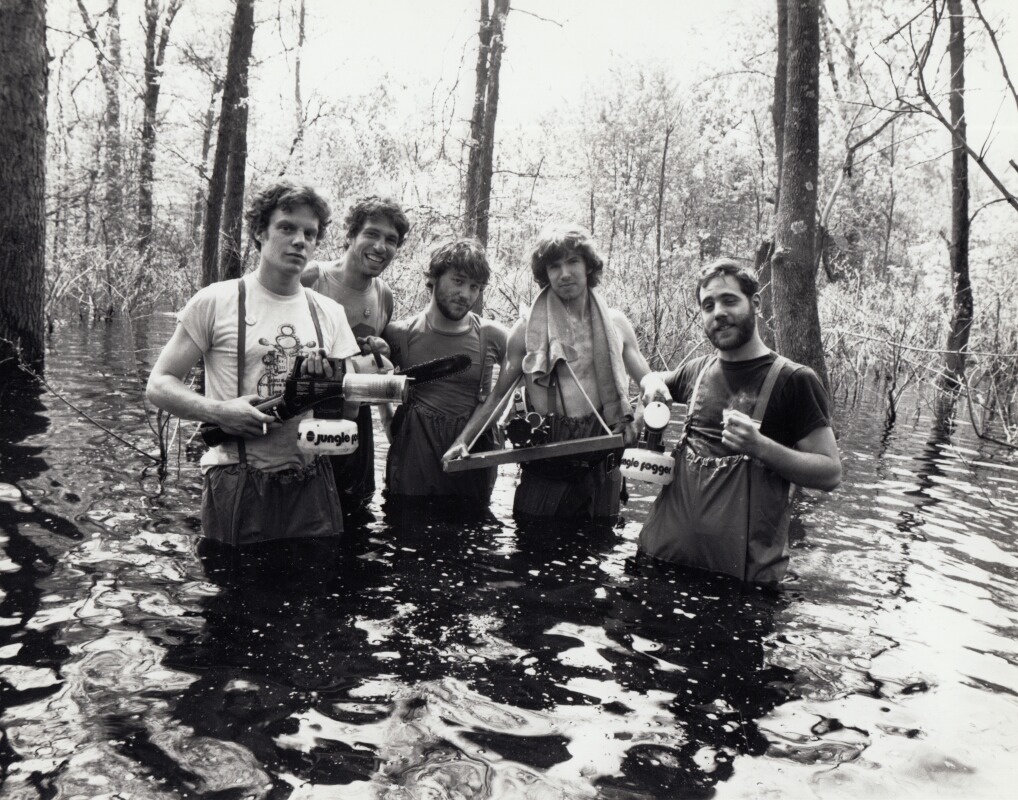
(454, 658)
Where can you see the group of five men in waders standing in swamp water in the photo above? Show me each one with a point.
(757, 423)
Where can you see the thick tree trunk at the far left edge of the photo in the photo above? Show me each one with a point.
(23, 185)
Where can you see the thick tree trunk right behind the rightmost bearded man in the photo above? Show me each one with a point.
(794, 262)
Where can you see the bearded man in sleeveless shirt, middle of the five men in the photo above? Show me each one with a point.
(424, 429)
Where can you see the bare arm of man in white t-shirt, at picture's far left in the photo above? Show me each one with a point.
(166, 390)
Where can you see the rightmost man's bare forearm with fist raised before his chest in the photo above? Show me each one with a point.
(815, 464)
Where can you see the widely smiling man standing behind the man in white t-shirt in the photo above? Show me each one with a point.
(376, 228)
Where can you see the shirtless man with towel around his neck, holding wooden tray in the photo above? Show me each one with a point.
(578, 357)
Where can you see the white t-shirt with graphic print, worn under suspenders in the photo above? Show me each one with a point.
(279, 328)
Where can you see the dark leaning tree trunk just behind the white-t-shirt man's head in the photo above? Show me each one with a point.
(242, 37)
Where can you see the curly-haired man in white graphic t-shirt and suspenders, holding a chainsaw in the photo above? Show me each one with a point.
(261, 488)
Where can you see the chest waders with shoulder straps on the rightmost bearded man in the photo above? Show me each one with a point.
(726, 515)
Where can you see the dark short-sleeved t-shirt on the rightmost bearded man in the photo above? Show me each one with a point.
(799, 404)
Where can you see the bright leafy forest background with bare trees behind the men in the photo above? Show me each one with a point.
(677, 132)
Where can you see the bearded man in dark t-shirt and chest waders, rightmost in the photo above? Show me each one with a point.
(757, 423)
